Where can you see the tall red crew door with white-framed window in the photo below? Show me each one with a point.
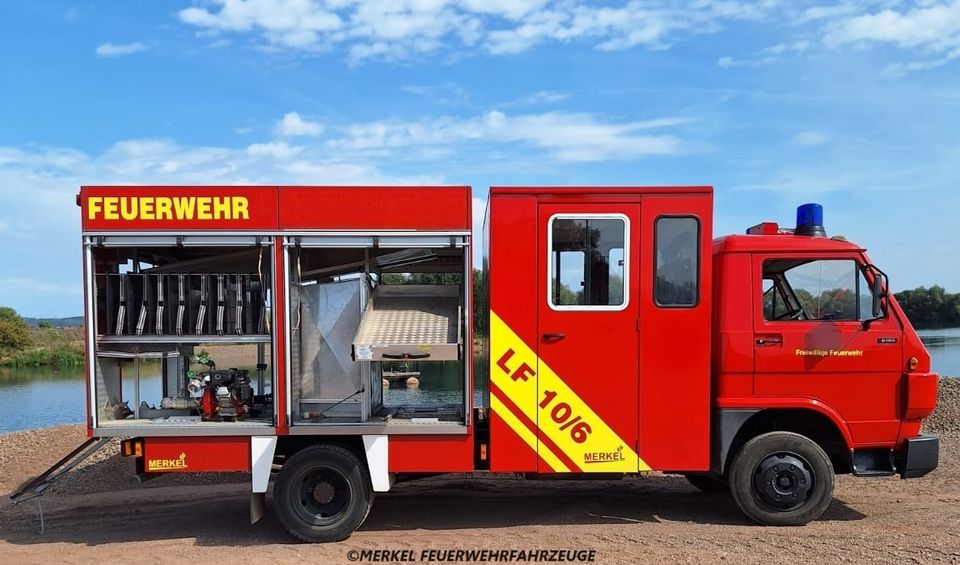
(588, 339)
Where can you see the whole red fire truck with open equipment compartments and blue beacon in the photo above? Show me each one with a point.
(326, 335)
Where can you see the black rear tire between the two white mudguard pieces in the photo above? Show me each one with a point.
(323, 493)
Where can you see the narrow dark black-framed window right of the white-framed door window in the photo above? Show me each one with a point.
(676, 279)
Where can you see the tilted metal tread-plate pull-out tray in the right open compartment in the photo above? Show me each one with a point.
(415, 322)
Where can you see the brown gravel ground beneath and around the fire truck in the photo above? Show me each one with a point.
(98, 515)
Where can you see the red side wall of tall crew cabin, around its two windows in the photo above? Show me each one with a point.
(639, 369)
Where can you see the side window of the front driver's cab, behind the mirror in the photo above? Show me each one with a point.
(815, 289)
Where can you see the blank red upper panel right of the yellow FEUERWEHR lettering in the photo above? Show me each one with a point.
(375, 207)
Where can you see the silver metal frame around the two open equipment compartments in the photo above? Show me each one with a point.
(315, 238)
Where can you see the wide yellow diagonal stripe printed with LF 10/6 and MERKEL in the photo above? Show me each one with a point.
(555, 408)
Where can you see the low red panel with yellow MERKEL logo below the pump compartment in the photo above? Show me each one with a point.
(196, 454)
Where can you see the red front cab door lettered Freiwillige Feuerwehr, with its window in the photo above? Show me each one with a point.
(812, 346)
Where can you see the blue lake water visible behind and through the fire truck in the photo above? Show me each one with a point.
(39, 398)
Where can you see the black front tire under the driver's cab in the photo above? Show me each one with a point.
(782, 479)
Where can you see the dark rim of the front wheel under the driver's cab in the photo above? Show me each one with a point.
(783, 481)
